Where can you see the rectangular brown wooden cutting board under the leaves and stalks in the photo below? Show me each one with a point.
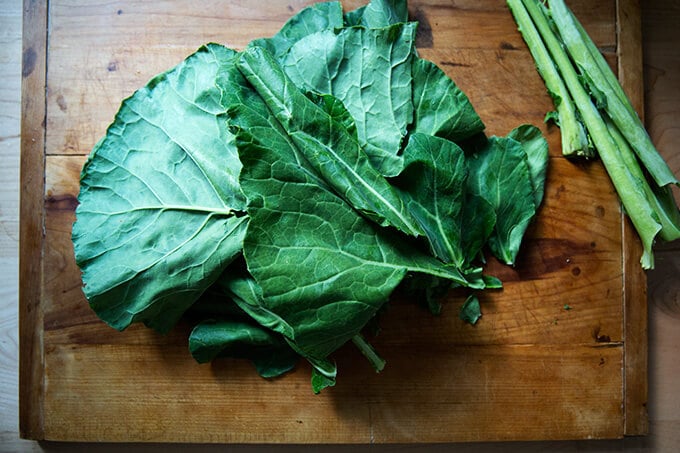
(560, 352)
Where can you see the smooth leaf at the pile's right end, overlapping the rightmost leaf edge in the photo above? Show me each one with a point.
(499, 172)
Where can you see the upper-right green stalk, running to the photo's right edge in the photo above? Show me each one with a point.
(602, 78)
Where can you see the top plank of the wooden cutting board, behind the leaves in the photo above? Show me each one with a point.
(129, 44)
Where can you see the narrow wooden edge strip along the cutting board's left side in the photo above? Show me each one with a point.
(31, 365)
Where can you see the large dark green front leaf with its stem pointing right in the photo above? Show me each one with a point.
(323, 268)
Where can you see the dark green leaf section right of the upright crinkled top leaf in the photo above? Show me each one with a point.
(441, 108)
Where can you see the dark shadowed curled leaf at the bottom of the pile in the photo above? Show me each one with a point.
(268, 350)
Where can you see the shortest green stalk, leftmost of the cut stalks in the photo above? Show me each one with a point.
(574, 137)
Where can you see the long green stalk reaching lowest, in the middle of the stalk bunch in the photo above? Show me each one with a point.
(630, 191)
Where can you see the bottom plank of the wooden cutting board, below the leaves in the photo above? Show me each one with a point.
(364, 408)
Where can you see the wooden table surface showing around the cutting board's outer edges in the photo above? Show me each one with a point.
(662, 81)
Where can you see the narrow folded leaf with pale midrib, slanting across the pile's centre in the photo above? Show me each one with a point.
(325, 143)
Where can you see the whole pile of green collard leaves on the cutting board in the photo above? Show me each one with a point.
(277, 196)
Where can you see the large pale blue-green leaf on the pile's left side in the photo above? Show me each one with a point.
(159, 198)
